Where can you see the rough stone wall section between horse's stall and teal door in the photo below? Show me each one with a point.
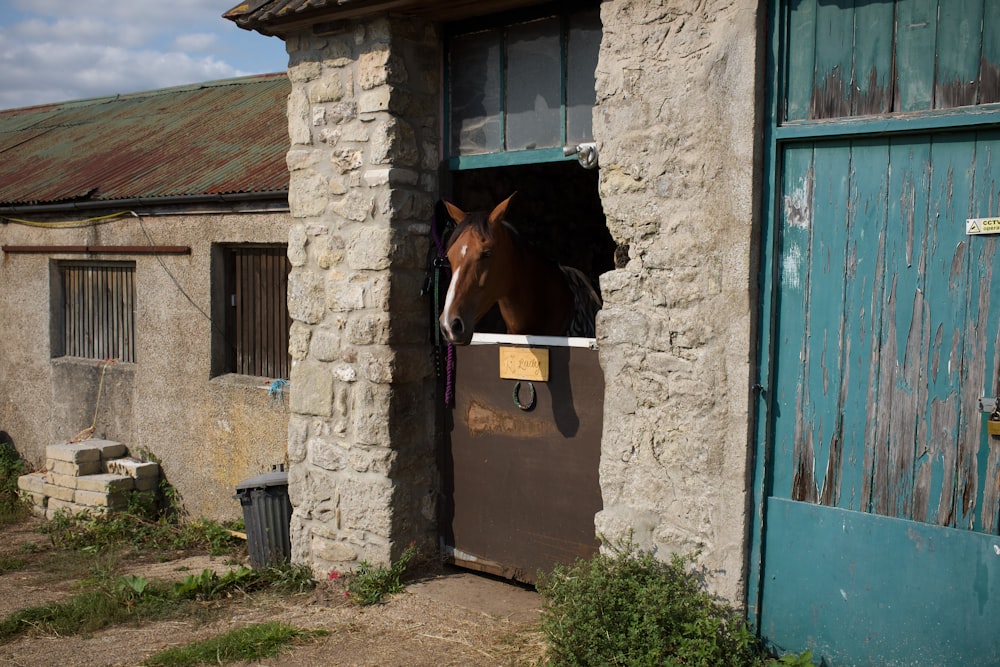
(677, 89)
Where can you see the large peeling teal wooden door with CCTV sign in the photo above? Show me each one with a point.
(878, 486)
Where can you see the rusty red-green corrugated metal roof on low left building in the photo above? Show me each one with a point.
(220, 137)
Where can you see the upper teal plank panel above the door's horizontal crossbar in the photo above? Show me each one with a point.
(861, 58)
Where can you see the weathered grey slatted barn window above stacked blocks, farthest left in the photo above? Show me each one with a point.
(96, 311)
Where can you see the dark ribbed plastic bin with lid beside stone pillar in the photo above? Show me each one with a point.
(267, 513)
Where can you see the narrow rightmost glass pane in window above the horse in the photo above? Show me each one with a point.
(584, 44)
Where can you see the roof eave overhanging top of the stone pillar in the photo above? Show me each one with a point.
(277, 17)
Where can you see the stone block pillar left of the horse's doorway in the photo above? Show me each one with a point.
(363, 122)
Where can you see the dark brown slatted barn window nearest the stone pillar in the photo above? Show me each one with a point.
(250, 311)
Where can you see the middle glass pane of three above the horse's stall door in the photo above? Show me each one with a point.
(534, 91)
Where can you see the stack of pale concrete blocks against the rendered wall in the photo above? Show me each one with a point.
(91, 476)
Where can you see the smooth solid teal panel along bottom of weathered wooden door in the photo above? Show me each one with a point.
(860, 589)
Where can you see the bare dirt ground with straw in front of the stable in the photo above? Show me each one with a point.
(449, 618)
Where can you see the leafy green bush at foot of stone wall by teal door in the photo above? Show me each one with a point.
(629, 608)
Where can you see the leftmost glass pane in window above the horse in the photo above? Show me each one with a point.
(475, 93)
